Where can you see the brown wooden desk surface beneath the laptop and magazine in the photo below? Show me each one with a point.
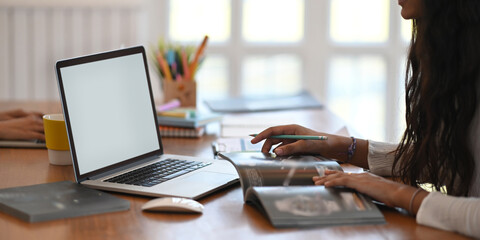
(225, 215)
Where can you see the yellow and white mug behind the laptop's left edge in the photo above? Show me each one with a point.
(56, 139)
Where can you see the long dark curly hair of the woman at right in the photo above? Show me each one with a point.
(443, 71)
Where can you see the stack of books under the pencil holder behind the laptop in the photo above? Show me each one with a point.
(185, 122)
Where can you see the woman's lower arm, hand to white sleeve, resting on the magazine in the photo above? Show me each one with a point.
(432, 209)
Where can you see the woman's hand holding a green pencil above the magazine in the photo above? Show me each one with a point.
(332, 147)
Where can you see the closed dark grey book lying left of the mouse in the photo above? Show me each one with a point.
(57, 200)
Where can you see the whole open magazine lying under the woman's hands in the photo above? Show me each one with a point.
(282, 188)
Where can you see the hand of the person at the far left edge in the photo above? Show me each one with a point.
(21, 125)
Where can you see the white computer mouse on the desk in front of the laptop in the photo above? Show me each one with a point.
(173, 204)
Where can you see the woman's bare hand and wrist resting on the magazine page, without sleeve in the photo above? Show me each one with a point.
(389, 192)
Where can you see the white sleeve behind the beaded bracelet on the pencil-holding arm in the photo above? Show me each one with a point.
(380, 157)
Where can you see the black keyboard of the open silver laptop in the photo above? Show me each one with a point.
(157, 173)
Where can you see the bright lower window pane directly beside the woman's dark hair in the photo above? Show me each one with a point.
(356, 91)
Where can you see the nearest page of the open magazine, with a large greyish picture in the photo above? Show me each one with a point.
(306, 206)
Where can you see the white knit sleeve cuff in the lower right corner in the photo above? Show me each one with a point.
(459, 214)
